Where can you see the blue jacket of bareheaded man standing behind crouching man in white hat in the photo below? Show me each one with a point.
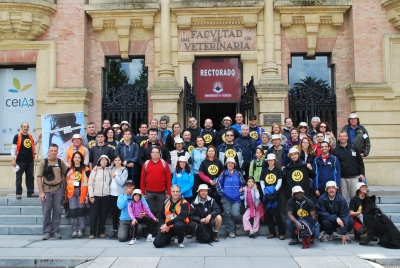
(324, 172)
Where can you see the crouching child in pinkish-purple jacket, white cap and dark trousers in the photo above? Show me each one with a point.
(136, 209)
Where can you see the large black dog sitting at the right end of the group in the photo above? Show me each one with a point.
(378, 224)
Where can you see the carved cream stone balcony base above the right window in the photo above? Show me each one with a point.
(311, 22)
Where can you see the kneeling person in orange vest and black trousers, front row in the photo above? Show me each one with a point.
(174, 219)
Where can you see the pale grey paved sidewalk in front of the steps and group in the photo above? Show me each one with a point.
(31, 251)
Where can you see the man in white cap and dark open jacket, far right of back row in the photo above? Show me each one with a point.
(358, 135)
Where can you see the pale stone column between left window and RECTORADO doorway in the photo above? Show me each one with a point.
(165, 92)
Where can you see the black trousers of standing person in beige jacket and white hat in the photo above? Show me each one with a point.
(98, 214)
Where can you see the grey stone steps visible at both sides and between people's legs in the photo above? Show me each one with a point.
(24, 217)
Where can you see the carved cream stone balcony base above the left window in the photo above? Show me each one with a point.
(130, 24)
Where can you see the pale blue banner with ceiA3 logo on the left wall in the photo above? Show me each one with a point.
(18, 104)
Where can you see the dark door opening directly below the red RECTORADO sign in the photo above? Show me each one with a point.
(216, 112)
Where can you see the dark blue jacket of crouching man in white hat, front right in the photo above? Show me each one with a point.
(331, 210)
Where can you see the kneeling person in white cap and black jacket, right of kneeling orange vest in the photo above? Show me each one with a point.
(204, 210)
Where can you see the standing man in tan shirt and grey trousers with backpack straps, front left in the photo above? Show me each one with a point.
(51, 184)
